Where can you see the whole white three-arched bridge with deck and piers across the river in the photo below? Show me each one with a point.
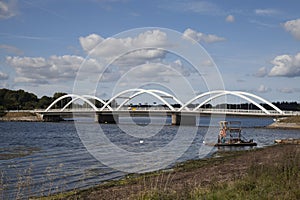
(106, 109)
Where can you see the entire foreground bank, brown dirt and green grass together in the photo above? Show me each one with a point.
(269, 173)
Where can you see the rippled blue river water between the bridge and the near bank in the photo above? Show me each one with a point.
(43, 158)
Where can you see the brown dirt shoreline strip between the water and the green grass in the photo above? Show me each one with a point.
(224, 168)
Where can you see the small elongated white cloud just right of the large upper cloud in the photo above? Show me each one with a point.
(201, 37)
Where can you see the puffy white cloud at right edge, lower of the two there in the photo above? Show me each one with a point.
(286, 65)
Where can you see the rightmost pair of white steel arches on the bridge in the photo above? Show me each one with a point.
(240, 94)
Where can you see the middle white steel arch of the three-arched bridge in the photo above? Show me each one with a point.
(140, 91)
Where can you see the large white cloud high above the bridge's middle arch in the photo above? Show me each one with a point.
(145, 47)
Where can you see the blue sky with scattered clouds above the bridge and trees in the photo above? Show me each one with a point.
(254, 44)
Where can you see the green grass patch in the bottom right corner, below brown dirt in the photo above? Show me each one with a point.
(274, 180)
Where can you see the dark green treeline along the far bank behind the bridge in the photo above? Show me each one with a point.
(21, 100)
